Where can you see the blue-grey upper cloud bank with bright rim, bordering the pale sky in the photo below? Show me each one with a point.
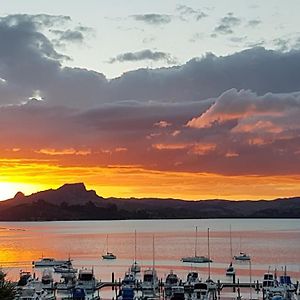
(35, 67)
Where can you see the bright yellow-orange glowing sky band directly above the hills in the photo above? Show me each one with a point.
(132, 181)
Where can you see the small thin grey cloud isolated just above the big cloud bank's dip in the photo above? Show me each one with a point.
(146, 54)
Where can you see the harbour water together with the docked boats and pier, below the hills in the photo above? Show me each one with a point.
(148, 258)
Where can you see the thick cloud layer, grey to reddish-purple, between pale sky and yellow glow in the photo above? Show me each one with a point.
(239, 132)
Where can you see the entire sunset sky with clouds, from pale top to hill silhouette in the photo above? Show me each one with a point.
(182, 99)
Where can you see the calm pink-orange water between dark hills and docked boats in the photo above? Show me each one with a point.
(271, 243)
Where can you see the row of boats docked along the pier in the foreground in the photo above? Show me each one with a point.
(273, 286)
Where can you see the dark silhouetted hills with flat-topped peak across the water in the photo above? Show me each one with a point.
(75, 202)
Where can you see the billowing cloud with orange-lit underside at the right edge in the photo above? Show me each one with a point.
(247, 106)
